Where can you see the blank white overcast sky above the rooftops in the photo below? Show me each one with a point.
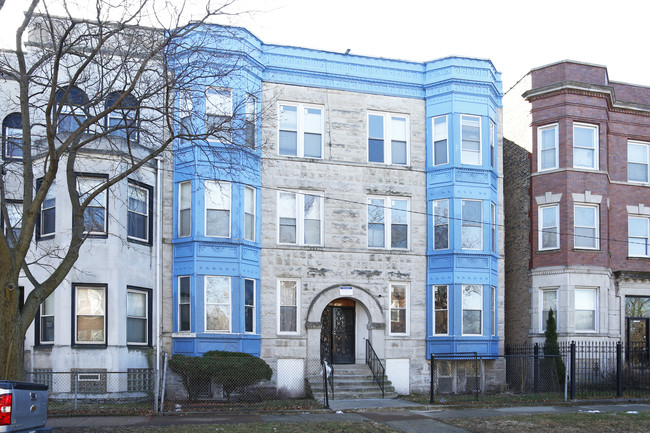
(516, 35)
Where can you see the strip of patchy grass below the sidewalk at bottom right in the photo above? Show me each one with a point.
(571, 423)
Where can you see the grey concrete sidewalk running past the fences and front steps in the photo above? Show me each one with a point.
(401, 415)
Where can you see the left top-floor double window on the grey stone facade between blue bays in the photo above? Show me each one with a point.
(301, 131)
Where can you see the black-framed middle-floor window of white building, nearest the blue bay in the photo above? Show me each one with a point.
(139, 212)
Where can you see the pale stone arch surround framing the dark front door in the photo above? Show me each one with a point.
(368, 318)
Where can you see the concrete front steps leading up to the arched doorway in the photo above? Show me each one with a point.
(351, 381)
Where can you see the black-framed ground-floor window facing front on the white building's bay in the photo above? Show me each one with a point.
(90, 314)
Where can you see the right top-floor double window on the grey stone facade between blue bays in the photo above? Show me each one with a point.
(393, 127)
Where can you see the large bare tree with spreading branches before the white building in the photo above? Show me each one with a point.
(88, 91)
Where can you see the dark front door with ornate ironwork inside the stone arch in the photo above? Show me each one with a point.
(338, 332)
